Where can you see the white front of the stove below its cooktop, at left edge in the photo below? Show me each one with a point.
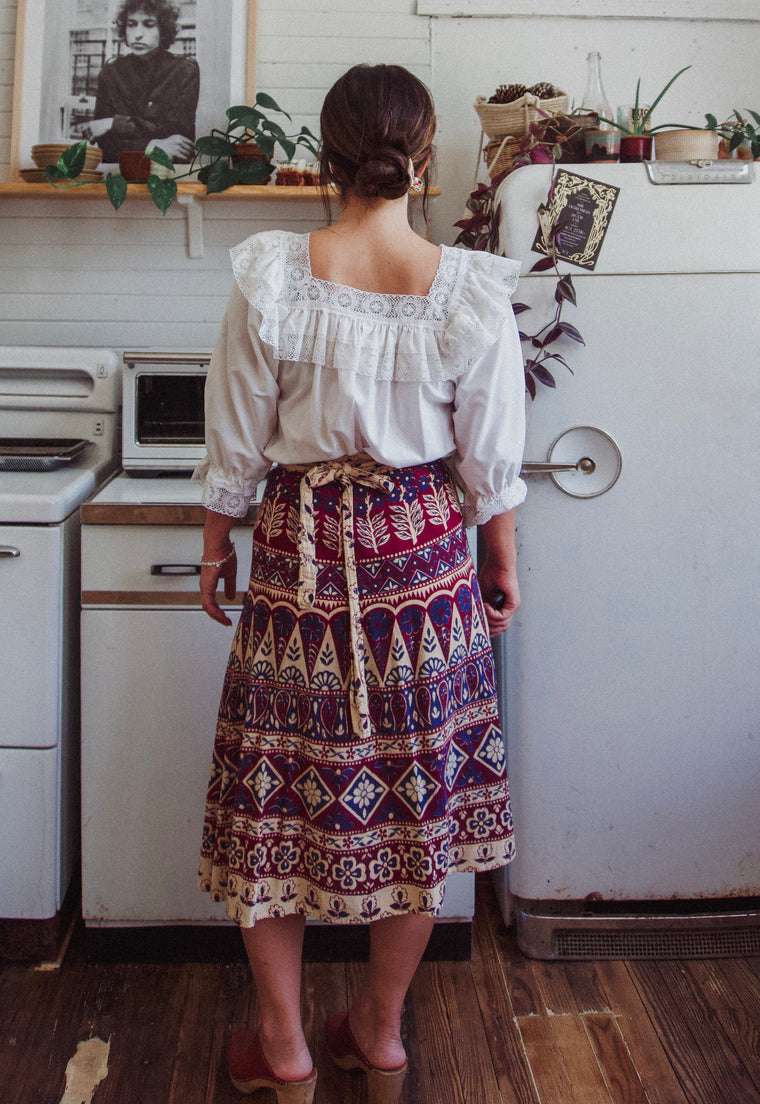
(39, 685)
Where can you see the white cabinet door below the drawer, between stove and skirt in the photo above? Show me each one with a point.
(147, 734)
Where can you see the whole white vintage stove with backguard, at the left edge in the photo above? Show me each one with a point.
(59, 443)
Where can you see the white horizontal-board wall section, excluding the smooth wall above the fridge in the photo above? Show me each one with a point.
(72, 272)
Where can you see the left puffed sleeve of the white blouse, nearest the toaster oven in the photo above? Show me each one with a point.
(241, 411)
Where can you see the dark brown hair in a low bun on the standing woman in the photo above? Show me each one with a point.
(374, 120)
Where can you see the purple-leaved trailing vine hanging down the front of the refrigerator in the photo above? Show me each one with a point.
(480, 231)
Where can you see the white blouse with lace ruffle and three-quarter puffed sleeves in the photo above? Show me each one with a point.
(307, 370)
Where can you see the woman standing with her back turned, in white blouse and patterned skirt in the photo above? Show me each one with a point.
(358, 757)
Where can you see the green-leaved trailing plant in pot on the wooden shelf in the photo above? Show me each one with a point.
(238, 155)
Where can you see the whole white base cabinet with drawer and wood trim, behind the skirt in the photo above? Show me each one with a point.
(153, 668)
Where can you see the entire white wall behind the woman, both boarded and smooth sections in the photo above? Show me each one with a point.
(75, 273)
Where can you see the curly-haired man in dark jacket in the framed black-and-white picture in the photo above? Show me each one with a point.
(149, 94)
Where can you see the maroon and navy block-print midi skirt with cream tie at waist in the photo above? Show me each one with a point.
(358, 755)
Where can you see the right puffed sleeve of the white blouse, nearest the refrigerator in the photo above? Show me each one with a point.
(490, 398)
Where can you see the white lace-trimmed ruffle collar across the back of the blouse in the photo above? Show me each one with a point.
(402, 337)
